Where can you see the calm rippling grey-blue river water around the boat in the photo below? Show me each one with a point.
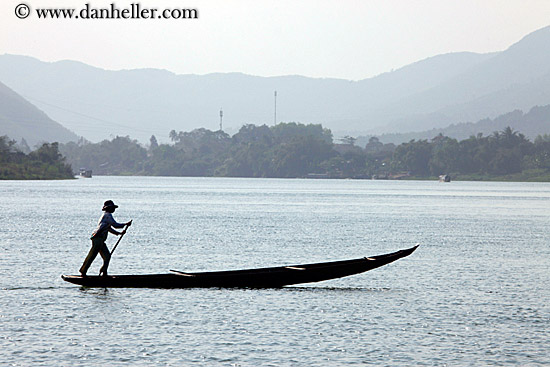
(476, 292)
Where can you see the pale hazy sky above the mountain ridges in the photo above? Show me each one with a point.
(342, 39)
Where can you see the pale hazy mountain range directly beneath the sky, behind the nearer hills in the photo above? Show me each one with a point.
(432, 93)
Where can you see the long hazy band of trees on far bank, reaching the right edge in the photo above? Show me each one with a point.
(296, 150)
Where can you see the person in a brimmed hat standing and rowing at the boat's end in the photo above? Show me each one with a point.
(105, 225)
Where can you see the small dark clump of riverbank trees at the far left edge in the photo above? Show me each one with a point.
(45, 163)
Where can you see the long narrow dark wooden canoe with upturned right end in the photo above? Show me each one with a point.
(250, 278)
